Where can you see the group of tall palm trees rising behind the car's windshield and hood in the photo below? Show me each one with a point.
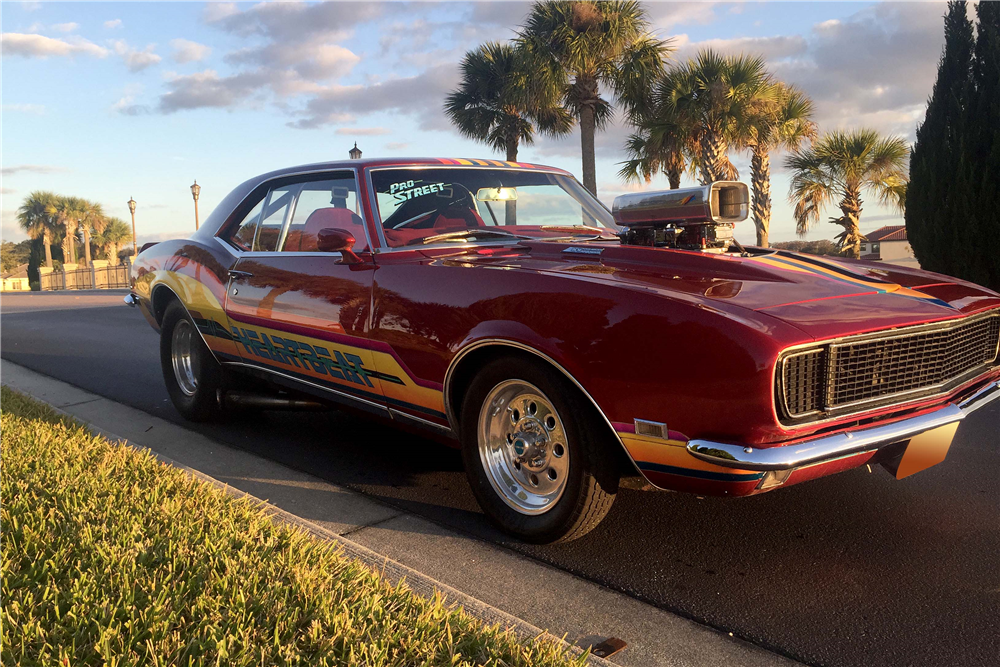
(574, 63)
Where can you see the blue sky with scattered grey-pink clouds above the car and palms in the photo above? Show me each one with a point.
(109, 101)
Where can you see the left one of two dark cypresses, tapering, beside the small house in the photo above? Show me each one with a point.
(937, 199)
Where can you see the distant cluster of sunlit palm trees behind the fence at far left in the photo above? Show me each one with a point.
(71, 230)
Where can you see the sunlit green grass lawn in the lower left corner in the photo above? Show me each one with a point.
(112, 558)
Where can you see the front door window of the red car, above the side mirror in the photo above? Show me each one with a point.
(326, 204)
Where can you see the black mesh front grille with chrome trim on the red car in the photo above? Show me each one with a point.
(871, 370)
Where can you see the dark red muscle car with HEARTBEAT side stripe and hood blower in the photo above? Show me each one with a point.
(501, 307)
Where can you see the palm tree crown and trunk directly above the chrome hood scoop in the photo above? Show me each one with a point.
(711, 97)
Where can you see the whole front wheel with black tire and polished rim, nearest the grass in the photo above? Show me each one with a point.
(533, 452)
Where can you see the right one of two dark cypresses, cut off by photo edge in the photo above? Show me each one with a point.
(984, 123)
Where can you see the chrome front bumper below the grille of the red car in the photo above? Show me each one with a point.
(830, 447)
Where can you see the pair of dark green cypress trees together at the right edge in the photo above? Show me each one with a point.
(952, 212)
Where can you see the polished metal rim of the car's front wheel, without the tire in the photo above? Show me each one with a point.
(522, 444)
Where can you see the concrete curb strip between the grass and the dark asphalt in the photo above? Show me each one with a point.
(490, 582)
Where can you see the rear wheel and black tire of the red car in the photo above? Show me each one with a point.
(192, 374)
